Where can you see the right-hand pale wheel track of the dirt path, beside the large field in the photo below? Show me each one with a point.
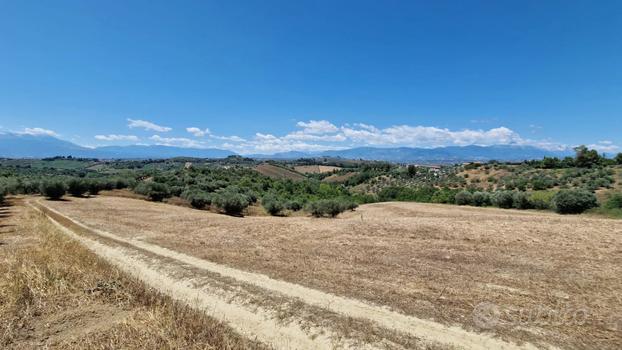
(426, 330)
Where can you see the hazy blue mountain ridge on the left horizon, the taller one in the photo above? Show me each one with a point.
(29, 146)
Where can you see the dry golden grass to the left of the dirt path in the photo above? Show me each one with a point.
(54, 293)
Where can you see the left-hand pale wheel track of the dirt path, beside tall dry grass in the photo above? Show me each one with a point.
(251, 322)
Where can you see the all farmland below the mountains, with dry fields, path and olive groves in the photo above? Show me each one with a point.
(332, 255)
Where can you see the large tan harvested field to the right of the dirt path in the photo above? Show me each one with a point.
(552, 279)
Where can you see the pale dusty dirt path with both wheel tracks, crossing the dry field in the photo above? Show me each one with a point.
(183, 277)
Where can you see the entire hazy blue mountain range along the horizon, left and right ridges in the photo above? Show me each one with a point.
(30, 146)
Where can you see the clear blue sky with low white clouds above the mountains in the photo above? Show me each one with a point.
(269, 76)
